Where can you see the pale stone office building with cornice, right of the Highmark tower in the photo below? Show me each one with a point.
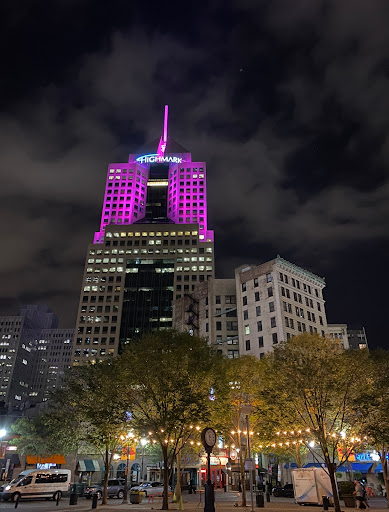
(275, 301)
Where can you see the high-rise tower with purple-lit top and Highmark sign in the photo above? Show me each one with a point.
(153, 247)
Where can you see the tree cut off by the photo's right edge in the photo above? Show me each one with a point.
(374, 410)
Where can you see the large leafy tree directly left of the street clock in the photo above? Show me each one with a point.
(170, 375)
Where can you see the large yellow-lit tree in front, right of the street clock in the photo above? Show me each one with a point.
(313, 380)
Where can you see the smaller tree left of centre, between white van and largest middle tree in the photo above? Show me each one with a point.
(93, 399)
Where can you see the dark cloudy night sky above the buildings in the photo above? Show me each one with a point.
(287, 102)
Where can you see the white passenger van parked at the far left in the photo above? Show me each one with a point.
(37, 483)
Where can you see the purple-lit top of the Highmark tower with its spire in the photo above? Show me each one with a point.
(180, 181)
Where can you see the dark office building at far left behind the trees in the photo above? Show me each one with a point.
(34, 354)
